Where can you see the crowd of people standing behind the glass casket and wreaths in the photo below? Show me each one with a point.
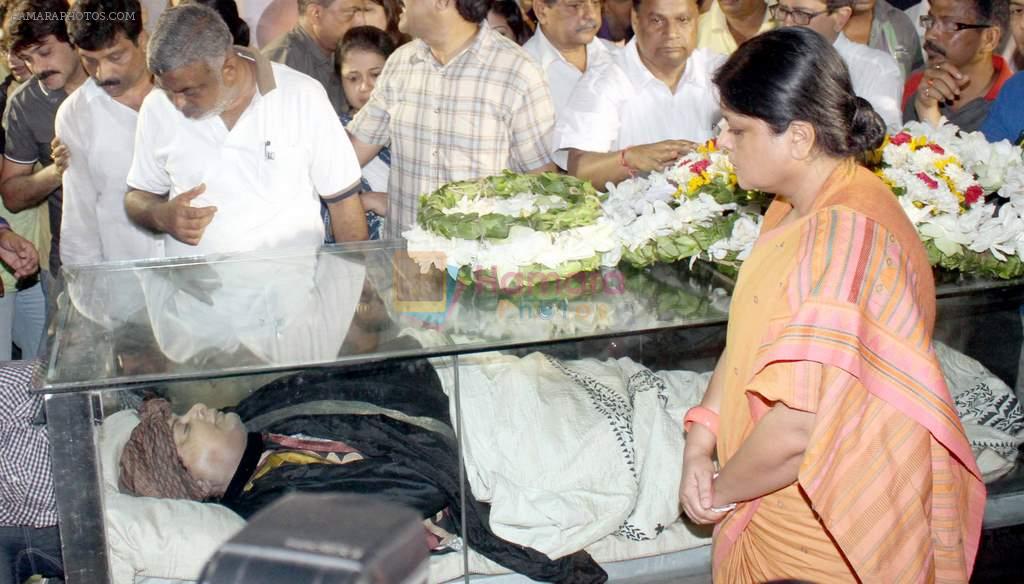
(237, 152)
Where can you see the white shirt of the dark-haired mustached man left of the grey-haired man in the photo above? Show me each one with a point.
(101, 135)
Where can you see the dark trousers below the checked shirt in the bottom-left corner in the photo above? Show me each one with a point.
(26, 552)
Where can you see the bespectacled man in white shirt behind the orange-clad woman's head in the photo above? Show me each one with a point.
(876, 75)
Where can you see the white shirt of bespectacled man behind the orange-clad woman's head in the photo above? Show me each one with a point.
(876, 77)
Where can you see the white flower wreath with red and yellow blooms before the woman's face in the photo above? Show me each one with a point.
(695, 210)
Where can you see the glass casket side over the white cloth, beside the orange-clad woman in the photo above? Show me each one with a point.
(581, 448)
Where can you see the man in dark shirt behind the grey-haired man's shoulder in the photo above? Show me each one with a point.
(311, 47)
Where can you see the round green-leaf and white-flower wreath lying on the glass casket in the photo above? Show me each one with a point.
(519, 229)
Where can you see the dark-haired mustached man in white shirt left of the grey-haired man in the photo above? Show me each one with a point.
(97, 123)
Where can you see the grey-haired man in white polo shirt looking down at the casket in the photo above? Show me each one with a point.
(235, 153)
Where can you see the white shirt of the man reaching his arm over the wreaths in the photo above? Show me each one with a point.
(623, 105)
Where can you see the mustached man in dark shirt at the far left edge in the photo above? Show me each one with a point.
(45, 47)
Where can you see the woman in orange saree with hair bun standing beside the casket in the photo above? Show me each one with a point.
(842, 456)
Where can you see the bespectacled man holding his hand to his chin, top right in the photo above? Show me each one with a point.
(964, 74)
